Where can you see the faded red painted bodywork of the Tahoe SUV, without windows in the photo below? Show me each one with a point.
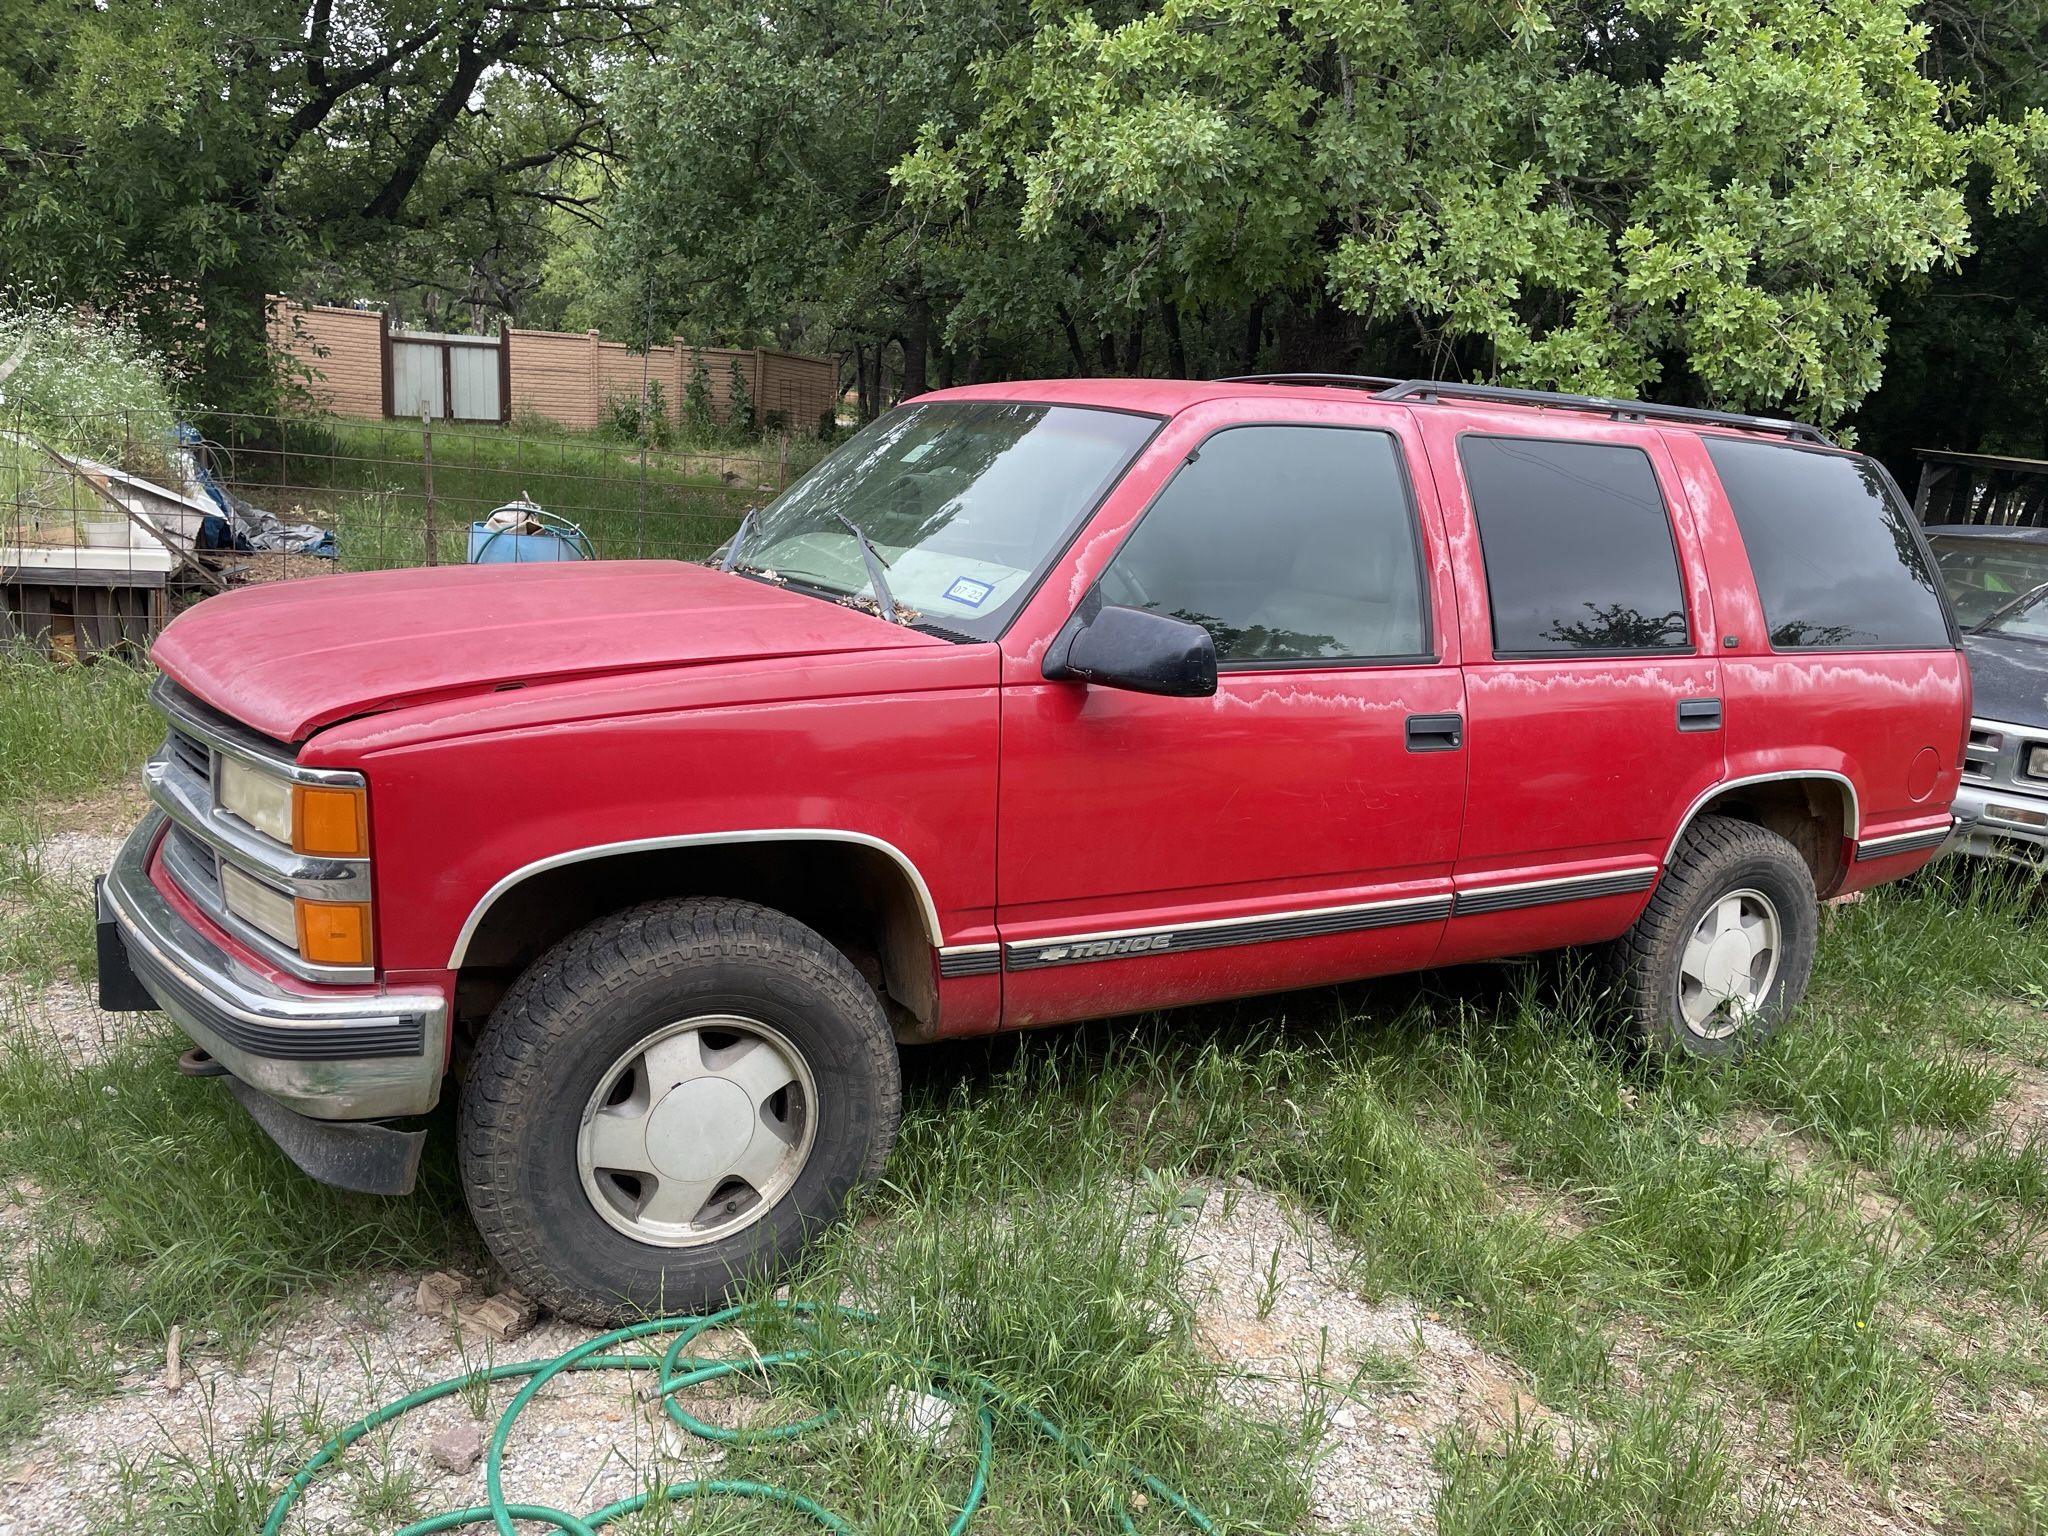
(509, 716)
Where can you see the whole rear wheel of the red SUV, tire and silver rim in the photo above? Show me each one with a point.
(1723, 951)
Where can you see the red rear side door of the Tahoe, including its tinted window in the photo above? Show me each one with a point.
(1592, 681)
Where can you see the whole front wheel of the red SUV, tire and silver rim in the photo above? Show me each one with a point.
(673, 1101)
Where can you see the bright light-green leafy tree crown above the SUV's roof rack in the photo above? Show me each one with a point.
(1699, 200)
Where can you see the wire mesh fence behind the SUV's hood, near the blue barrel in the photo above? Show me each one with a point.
(108, 523)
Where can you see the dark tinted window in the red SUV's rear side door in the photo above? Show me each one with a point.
(1578, 548)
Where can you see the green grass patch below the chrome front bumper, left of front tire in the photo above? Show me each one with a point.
(159, 1201)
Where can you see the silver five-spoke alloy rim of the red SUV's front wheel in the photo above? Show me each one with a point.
(697, 1132)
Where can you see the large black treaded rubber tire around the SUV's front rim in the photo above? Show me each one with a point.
(577, 1011)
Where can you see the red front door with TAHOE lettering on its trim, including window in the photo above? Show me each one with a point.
(1302, 824)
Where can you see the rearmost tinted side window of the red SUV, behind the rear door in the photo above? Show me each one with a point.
(1834, 552)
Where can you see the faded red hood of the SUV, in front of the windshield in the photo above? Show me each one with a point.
(298, 656)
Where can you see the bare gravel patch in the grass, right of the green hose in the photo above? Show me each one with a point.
(1390, 1379)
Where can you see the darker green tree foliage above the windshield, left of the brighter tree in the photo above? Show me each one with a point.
(757, 198)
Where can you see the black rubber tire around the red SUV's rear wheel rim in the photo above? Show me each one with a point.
(1715, 857)
